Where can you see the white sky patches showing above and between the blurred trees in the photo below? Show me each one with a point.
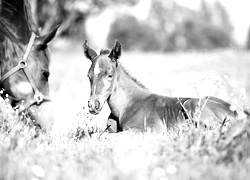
(238, 11)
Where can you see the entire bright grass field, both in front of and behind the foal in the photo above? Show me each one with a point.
(69, 152)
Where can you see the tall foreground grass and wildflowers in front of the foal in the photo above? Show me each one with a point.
(186, 152)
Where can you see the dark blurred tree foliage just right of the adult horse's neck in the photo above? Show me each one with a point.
(71, 14)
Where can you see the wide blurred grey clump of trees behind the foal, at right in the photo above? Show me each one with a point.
(171, 27)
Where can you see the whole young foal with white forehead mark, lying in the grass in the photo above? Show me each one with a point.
(134, 107)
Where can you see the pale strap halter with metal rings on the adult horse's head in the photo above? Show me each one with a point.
(22, 64)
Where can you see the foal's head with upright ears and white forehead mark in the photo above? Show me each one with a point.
(102, 75)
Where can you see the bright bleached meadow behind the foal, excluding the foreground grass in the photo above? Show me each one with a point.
(223, 74)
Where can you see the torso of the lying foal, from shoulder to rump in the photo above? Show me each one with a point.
(158, 113)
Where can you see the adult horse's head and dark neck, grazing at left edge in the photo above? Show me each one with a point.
(24, 61)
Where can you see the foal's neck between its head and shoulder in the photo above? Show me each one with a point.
(126, 91)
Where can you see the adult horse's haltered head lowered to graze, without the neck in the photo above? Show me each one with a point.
(25, 74)
